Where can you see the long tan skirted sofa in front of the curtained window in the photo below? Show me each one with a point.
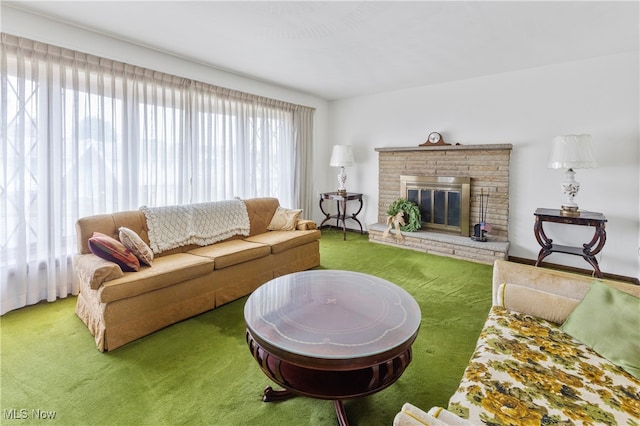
(119, 307)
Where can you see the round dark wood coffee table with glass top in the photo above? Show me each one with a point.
(331, 335)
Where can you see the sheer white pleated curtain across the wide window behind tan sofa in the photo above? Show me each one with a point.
(83, 135)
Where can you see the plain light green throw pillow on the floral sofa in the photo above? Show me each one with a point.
(608, 321)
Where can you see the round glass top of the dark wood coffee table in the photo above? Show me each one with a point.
(332, 314)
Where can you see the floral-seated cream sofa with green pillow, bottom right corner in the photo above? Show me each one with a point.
(557, 349)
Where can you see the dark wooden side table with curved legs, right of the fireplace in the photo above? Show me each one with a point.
(588, 250)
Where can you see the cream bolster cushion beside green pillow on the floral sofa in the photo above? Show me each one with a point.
(531, 301)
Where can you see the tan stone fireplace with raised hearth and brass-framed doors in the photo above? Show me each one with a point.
(434, 178)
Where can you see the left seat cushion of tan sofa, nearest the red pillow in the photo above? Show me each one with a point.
(166, 271)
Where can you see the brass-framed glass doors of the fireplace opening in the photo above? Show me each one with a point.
(443, 201)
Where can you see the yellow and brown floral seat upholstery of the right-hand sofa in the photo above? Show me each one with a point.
(526, 371)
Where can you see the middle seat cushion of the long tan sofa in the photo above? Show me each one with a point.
(232, 252)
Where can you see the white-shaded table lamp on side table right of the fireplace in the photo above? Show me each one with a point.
(571, 152)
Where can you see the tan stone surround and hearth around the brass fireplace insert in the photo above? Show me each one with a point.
(488, 168)
